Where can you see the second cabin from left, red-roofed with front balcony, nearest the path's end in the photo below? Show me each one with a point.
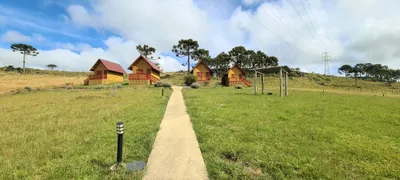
(144, 72)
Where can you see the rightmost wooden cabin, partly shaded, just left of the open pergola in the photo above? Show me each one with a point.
(235, 76)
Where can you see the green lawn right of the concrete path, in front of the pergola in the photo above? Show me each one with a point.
(307, 135)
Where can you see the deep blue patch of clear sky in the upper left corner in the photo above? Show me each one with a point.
(46, 17)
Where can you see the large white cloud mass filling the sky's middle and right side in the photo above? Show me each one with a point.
(352, 31)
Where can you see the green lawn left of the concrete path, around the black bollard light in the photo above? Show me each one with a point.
(72, 134)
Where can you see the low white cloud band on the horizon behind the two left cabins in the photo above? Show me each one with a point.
(118, 50)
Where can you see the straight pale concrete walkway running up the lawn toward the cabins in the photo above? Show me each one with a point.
(176, 153)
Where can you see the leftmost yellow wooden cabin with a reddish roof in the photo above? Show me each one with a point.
(105, 72)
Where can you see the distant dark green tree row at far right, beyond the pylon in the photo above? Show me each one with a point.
(369, 71)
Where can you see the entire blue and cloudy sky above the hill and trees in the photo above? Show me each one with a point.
(73, 34)
